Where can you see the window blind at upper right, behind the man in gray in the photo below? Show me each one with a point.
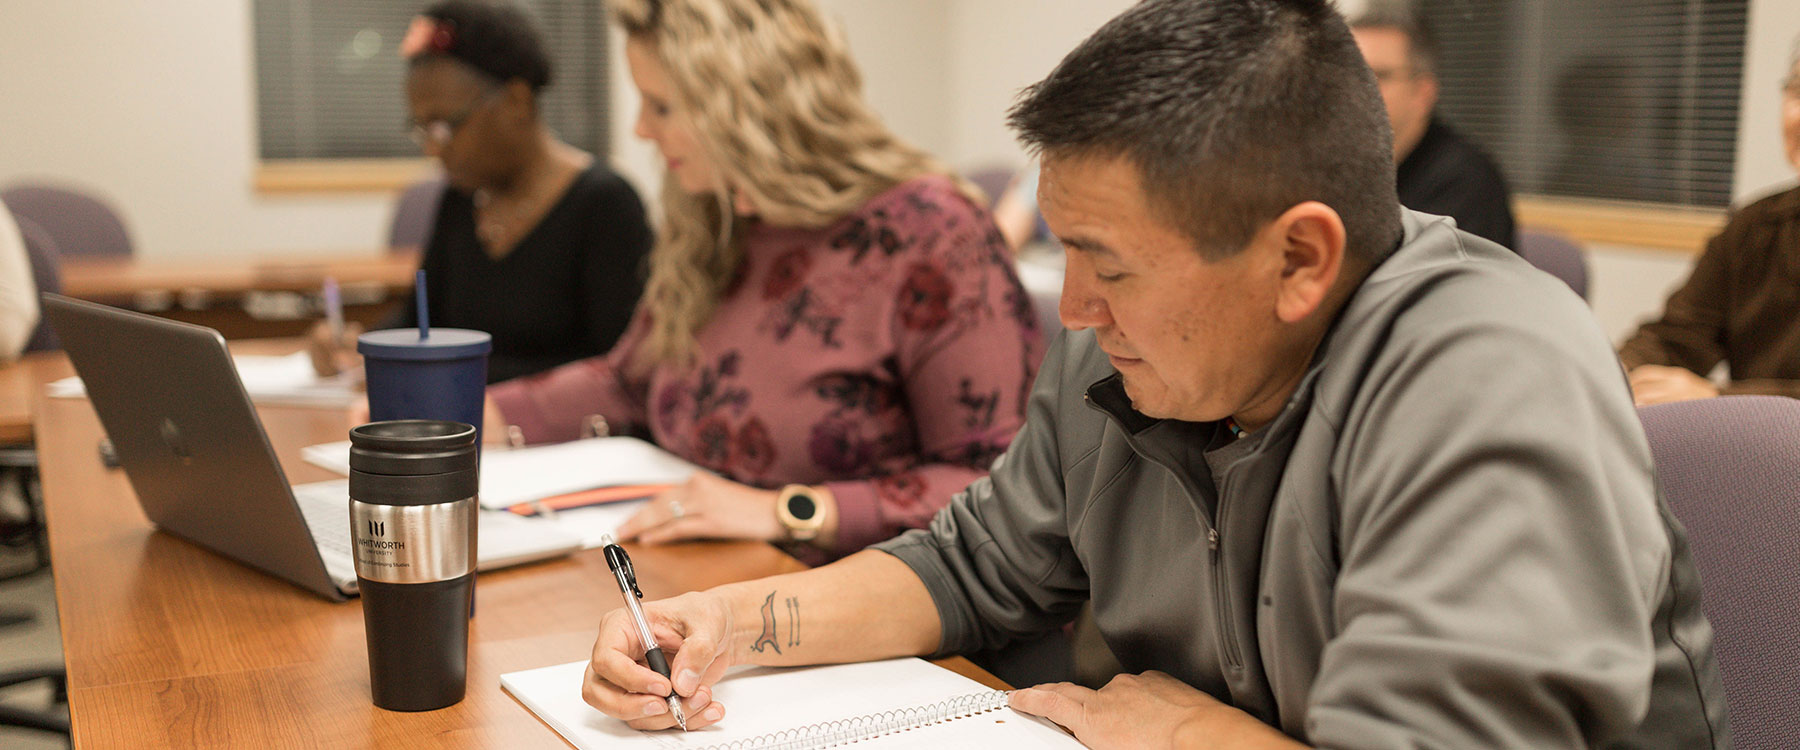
(1624, 100)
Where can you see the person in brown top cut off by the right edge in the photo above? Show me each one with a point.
(1741, 305)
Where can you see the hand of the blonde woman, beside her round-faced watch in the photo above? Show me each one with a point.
(706, 508)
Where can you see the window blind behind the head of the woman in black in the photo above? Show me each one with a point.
(332, 84)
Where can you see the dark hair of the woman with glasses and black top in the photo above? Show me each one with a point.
(494, 39)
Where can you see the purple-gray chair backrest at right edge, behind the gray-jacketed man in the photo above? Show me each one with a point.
(1731, 469)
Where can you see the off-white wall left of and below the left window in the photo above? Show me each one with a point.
(152, 103)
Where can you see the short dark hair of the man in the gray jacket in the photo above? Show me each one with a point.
(1234, 112)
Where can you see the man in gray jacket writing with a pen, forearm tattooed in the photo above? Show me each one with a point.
(1331, 474)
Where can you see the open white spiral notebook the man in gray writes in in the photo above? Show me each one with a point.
(894, 704)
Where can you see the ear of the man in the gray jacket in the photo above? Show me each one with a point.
(1313, 256)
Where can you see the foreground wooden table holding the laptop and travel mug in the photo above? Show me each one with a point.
(172, 647)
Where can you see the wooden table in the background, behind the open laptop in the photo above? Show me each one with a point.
(246, 298)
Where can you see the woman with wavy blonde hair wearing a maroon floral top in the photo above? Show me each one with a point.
(827, 307)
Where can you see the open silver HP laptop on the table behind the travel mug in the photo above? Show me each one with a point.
(201, 463)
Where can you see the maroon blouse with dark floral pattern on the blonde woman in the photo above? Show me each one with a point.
(886, 357)
